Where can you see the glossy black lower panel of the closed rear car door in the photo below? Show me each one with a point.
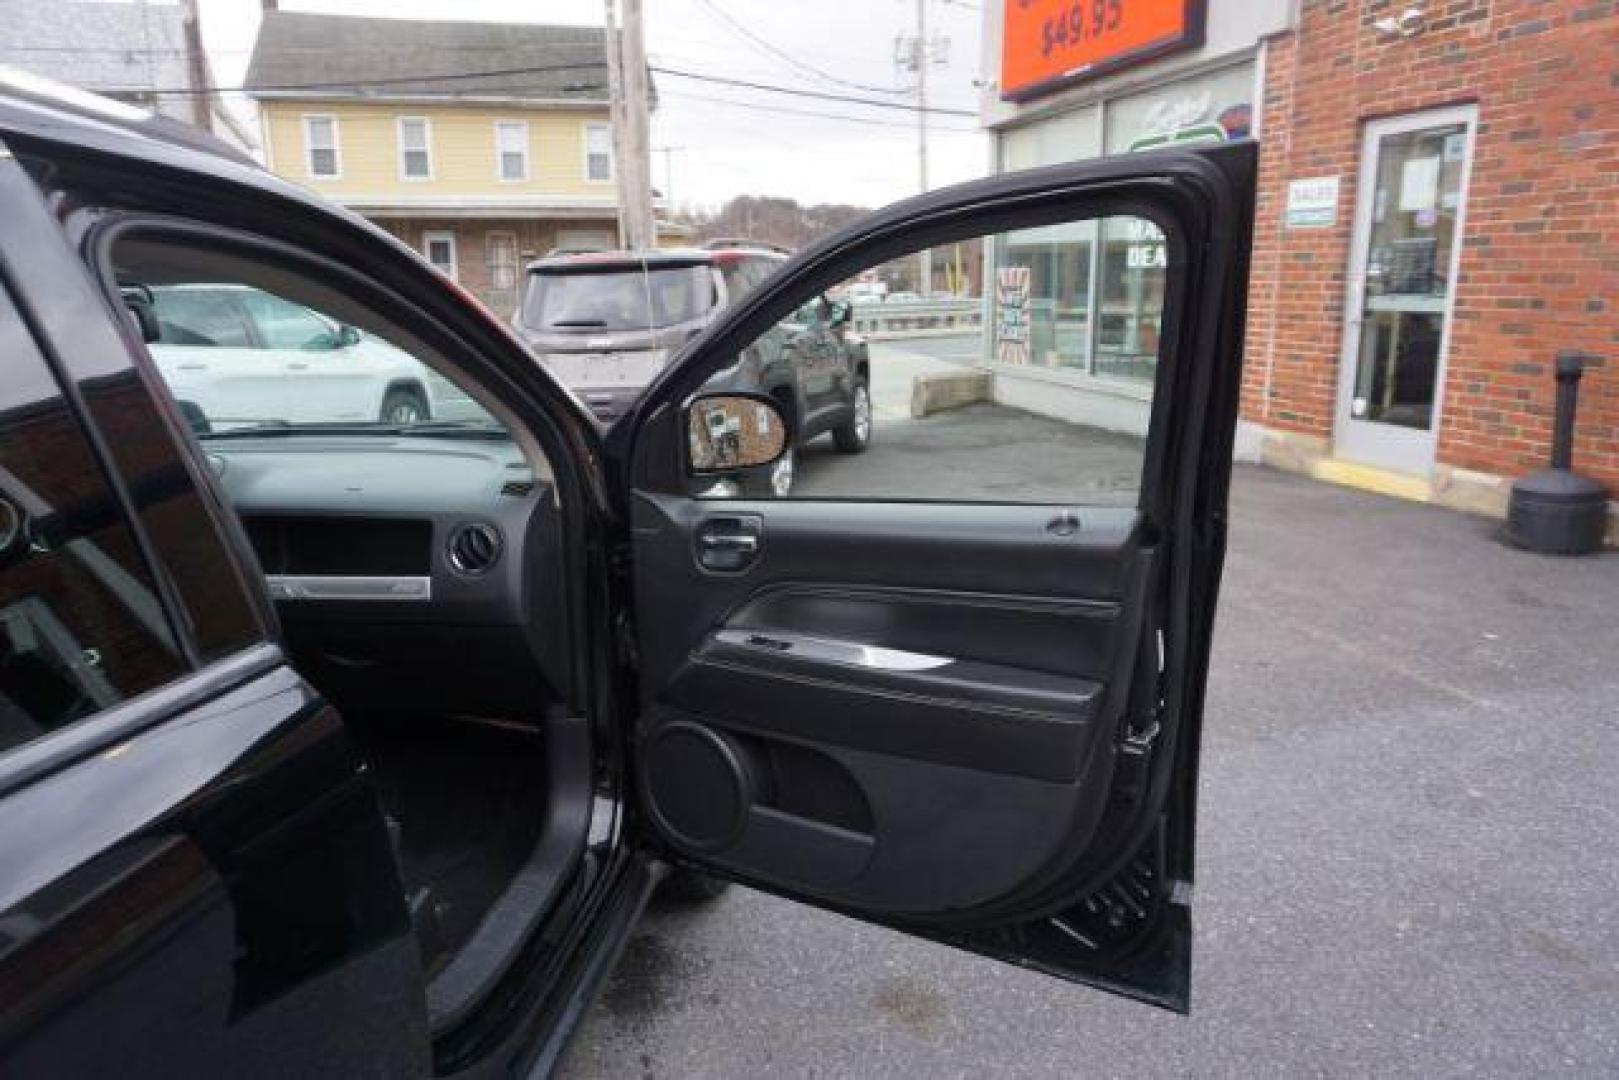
(168, 898)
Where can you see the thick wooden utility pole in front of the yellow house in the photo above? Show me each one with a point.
(631, 122)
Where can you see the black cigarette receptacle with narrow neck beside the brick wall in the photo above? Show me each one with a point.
(1557, 511)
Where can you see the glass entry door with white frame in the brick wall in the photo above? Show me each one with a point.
(1401, 287)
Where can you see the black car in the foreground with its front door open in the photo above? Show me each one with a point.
(357, 749)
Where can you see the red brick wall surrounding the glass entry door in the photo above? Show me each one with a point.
(1540, 258)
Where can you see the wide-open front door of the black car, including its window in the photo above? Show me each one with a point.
(954, 684)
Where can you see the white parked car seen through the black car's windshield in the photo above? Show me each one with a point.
(227, 352)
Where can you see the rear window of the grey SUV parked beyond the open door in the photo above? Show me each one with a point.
(618, 300)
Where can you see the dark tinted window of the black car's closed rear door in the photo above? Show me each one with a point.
(82, 626)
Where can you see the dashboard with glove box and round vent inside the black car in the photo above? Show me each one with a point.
(410, 572)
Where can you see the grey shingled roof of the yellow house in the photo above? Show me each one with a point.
(304, 54)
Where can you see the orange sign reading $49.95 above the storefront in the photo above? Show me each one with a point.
(1047, 45)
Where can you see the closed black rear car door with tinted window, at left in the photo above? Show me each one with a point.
(195, 874)
